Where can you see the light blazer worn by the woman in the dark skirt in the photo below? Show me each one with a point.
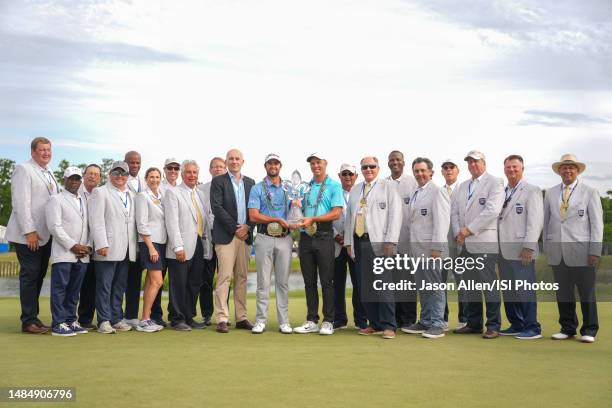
(150, 218)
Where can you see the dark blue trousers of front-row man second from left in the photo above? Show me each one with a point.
(66, 281)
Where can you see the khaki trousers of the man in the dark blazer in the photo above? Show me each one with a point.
(233, 261)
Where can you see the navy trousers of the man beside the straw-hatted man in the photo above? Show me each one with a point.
(521, 305)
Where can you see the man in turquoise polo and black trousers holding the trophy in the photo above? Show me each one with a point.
(322, 204)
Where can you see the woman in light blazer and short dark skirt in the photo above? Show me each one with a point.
(151, 244)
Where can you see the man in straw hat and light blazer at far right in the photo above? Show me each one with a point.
(573, 237)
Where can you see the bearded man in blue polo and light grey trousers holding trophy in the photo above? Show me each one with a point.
(269, 207)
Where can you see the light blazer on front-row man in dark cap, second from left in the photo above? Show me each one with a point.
(68, 226)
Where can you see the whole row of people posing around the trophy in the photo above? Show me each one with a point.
(99, 240)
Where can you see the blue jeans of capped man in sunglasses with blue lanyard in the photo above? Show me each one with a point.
(111, 282)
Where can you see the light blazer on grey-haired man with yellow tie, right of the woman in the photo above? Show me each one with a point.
(182, 223)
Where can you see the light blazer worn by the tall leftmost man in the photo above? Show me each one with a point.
(30, 192)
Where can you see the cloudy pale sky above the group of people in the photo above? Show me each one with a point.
(192, 79)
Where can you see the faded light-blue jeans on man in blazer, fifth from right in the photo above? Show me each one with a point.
(433, 302)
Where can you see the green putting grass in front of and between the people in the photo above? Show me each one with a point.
(204, 368)
